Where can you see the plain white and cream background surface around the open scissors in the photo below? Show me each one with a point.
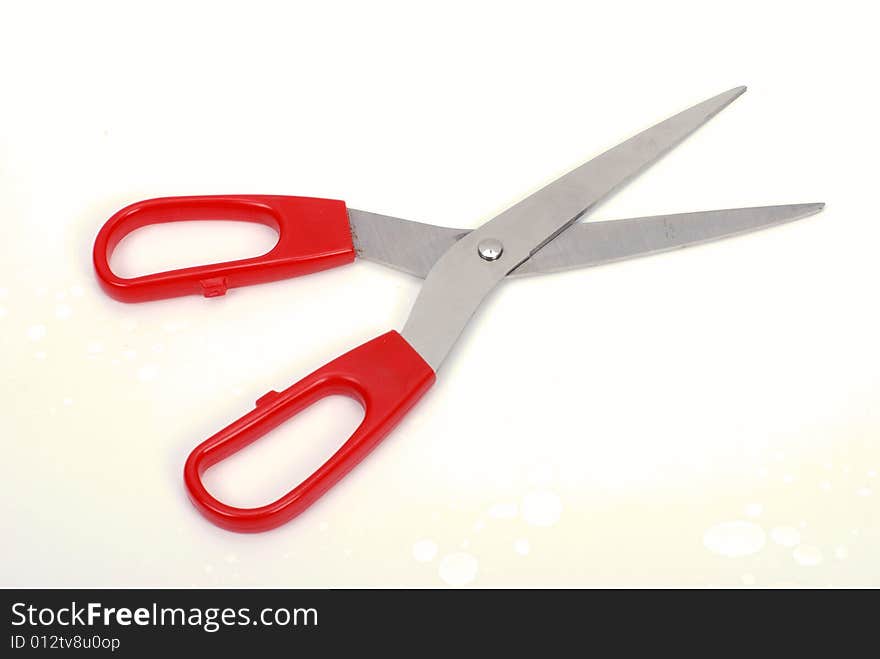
(707, 417)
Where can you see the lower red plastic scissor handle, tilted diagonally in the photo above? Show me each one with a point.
(386, 375)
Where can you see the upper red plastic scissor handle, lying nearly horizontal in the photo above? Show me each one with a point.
(314, 235)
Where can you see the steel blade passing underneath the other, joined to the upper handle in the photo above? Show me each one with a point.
(413, 247)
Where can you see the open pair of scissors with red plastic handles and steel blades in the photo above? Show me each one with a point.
(390, 373)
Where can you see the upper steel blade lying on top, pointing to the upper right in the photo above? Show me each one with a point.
(460, 280)
